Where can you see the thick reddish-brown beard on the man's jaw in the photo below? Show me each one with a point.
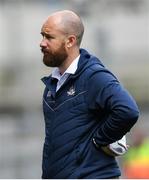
(55, 59)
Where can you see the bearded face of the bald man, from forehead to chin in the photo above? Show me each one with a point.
(53, 46)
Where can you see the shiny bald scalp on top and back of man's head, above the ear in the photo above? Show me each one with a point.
(70, 23)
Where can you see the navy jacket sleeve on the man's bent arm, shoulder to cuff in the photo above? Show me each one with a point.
(107, 96)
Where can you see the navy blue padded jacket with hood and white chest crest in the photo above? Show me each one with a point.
(91, 104)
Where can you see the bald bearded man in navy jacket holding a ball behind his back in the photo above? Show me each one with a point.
(86, 110)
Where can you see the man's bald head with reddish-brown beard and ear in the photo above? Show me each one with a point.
(62, 34)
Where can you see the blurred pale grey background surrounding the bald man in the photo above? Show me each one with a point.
(117, 31)
